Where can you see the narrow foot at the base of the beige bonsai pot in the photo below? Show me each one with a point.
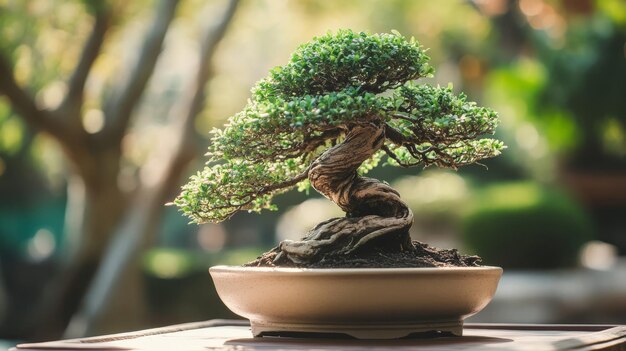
(358, 331)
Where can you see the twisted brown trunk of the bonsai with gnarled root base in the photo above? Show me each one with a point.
(374, 210)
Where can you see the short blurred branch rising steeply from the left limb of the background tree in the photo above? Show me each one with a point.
(91, 50)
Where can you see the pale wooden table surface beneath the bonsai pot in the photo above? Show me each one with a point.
(235, 335)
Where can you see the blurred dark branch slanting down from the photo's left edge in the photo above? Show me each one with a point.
(23, 103)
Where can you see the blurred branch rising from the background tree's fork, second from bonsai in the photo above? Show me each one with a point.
(120, 107)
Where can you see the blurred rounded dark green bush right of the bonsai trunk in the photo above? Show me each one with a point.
(526, 226)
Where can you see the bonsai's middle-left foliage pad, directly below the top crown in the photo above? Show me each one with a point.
(279, 128)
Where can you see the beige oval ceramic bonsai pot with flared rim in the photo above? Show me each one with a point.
(366, 303)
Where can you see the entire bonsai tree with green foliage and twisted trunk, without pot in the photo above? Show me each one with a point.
(341, 104)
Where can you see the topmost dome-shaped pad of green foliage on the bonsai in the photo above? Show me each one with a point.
(333, 62)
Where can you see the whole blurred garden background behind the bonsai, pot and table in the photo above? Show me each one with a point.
(105, 108)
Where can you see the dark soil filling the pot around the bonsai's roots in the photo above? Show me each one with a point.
(422, 256)
